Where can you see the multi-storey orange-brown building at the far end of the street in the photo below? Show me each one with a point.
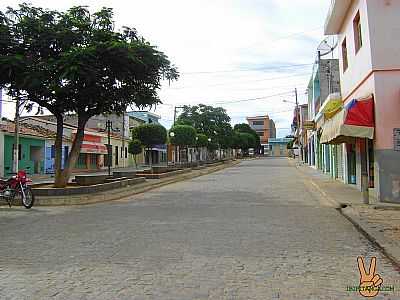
(265, 128)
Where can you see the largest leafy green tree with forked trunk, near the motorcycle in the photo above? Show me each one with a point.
(75, 61)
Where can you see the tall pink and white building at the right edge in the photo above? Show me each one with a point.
(369, 53)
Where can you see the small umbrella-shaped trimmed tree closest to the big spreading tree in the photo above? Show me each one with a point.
(150, 135)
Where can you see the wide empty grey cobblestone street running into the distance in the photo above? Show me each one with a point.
(258, 230)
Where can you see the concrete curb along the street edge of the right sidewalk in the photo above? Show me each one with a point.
(372, 235)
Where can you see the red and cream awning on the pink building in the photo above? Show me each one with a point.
(355, 120)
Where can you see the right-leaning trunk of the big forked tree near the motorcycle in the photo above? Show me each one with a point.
(74, 154)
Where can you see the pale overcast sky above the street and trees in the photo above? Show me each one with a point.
(227, 51)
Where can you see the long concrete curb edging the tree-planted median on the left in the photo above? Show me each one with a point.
(121, 193)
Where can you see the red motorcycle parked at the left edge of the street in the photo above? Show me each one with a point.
(15, 187)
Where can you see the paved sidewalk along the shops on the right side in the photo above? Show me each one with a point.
(379, 222)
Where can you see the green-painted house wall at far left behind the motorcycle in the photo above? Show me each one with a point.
(26, 162)
